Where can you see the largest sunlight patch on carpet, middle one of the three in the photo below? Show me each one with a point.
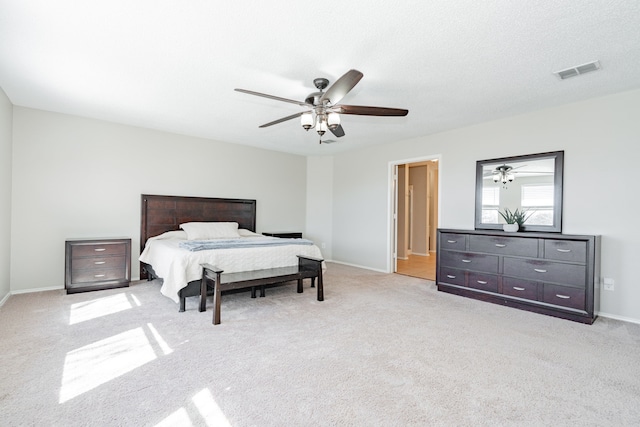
(100, 362)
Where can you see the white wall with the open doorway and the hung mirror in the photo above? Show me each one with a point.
(600, 139)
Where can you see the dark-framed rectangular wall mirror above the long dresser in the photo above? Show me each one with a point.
(532, 183)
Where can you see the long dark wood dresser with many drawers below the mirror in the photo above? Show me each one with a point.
(548, 273)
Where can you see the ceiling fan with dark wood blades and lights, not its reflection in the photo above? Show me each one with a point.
(323, 109)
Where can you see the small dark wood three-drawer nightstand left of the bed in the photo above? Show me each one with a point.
(94, 264)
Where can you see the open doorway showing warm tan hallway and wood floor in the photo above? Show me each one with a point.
(416, 218)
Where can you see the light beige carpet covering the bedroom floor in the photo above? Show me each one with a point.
(381, 350)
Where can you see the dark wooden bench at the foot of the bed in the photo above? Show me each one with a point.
(308, 267)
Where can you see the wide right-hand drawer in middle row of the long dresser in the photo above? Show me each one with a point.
(546, 271)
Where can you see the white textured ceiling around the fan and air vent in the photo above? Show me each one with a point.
(173, 65)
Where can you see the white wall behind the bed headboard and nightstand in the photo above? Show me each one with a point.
(76, 177)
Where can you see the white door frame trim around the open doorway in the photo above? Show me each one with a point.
(392, 204)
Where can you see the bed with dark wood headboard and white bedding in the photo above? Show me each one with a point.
(160, 238)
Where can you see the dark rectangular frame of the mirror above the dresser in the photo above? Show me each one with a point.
(558, 157)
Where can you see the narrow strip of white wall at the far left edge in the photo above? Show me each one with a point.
(6, 119)
